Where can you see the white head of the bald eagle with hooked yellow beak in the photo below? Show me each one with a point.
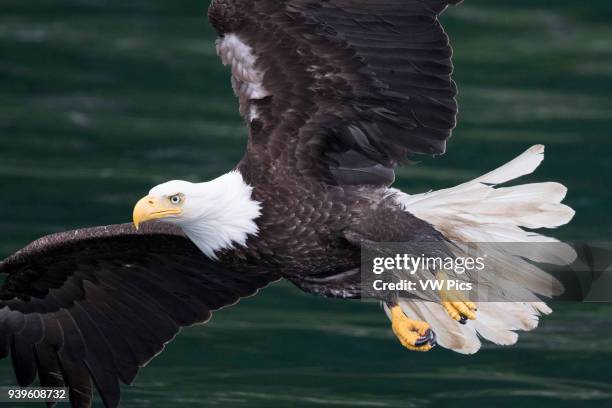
(215, 215)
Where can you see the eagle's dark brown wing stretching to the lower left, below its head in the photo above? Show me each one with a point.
(91, 307)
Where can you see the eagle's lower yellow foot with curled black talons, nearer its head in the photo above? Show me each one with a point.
(413, 334)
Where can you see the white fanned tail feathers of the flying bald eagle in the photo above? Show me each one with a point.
(476, 211)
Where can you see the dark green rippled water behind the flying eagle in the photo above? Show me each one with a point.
(100, 100)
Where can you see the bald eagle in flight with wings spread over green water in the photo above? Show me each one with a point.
(335, 94)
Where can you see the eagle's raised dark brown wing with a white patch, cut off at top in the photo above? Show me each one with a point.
(338, 90)
